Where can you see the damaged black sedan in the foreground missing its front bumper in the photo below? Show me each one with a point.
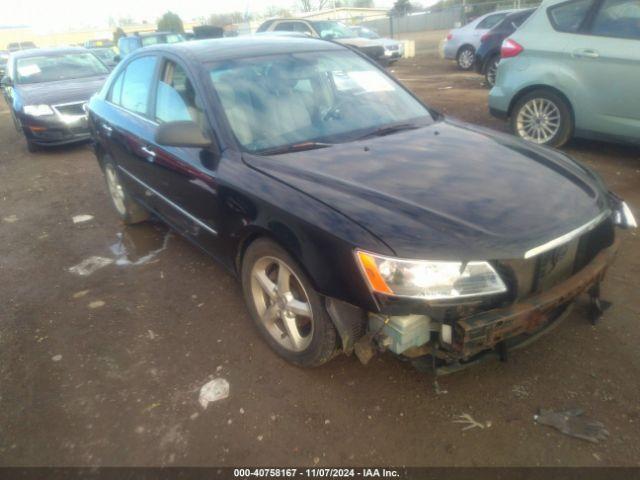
(354, 216)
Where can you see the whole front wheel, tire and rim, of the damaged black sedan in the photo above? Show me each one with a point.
(314, 341)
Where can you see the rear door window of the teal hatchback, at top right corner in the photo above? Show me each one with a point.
(618, 19)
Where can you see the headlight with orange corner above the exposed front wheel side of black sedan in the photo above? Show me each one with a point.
(429, 280)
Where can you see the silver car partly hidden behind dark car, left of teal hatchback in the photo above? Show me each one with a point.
(461, 43)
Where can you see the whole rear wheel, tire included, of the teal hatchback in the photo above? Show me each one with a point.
(546, 108)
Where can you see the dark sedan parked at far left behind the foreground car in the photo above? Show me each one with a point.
(47, 89)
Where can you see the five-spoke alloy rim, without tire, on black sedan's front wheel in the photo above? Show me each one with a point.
(282, 303)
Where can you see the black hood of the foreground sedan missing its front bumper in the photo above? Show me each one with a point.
(447, 191)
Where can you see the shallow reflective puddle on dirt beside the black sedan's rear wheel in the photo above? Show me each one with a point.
(139, 246)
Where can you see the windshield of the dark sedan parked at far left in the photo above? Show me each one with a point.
(50, 68)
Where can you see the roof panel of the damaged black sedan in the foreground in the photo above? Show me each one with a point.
(217, 49)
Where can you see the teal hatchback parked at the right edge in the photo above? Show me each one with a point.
(573, 69)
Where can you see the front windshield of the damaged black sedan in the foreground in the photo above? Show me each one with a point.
(279, 100)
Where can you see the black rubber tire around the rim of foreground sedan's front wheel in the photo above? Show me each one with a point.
(323, 342)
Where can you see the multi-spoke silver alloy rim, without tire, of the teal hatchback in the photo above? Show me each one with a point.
(539, 120)
